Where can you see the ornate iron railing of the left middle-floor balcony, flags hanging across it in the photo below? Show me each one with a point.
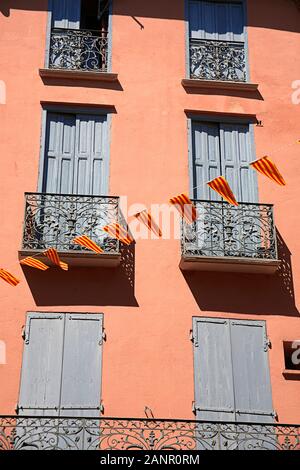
(54, 220)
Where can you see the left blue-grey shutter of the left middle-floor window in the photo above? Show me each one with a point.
(59, 158)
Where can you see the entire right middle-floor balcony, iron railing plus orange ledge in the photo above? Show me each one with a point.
(226, 237)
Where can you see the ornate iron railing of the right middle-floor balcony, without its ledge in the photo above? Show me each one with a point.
(222, 230)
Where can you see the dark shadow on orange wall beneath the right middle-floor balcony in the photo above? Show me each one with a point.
(247, 293)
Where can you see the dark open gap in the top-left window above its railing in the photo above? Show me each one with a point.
(94, 15)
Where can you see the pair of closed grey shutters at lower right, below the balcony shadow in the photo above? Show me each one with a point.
(232, 378)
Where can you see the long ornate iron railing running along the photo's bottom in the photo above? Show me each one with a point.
(46, 433)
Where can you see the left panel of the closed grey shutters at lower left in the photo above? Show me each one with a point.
(42, 362)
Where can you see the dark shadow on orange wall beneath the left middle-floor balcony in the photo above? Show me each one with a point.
(85, 286)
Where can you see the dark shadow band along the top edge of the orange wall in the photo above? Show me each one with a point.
(265, 18)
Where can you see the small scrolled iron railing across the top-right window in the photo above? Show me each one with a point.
(217, 60)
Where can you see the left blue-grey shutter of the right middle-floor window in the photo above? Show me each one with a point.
(206, 159)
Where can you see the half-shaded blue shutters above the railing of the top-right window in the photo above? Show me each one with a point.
(221, 21)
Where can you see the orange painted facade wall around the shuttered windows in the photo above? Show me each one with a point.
(148, 356)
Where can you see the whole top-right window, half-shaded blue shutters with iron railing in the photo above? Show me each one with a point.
(217, 40)
